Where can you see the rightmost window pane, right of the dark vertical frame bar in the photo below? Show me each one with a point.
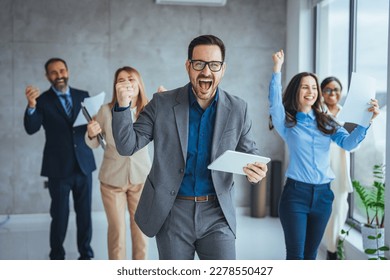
(371, 59)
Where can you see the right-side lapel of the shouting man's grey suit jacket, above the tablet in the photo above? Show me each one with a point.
(221, 120)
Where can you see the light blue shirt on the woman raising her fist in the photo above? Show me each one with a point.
(309, 148)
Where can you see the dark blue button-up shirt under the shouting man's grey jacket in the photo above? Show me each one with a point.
(197, 178)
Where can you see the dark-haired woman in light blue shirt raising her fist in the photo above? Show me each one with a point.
(306, 201)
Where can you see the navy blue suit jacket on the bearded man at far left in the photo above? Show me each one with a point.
(65, 147)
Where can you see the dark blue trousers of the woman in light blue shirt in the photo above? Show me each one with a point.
(304, 211)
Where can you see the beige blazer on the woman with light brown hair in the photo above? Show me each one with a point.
(117, 170)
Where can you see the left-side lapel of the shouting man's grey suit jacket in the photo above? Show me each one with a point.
(181, 111)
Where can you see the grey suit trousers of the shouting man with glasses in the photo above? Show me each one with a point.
(197, 227)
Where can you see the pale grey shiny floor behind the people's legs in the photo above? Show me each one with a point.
(26, 237)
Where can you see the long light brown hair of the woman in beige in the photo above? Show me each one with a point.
(142, 100)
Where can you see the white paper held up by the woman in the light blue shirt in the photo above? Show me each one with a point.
(355, 108)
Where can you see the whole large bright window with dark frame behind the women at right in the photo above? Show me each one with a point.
(352, 36)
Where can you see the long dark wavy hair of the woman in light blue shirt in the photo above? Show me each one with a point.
(325, 123)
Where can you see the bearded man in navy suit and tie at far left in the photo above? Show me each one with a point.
(67, 161)
